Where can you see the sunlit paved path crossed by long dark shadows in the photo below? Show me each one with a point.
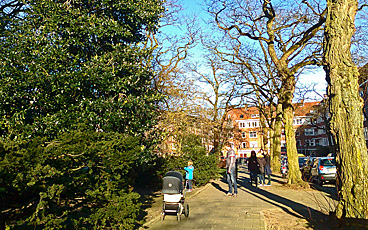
(210, 208)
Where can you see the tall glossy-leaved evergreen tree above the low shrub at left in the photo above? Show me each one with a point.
(67, 63)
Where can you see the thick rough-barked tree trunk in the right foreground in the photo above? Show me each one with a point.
(346, 110)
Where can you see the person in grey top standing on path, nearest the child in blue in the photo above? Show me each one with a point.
(230, 173)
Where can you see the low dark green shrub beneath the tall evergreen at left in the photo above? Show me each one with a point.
(81, 179)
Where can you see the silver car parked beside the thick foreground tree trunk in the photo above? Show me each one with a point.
(324, 170)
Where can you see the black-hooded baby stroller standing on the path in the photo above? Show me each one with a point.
(174, 196)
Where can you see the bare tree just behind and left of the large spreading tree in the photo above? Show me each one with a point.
(258, 77)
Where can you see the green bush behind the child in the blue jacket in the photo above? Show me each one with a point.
(205, 167)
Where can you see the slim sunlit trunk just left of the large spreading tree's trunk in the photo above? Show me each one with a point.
(276, 148)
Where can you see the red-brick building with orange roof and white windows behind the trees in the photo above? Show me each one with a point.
(249, 133)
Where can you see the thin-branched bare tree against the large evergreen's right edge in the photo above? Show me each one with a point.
(170, 51)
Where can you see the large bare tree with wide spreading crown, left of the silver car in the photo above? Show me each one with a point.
(290, 38)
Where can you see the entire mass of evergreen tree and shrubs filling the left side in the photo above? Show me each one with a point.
(76, 108)
